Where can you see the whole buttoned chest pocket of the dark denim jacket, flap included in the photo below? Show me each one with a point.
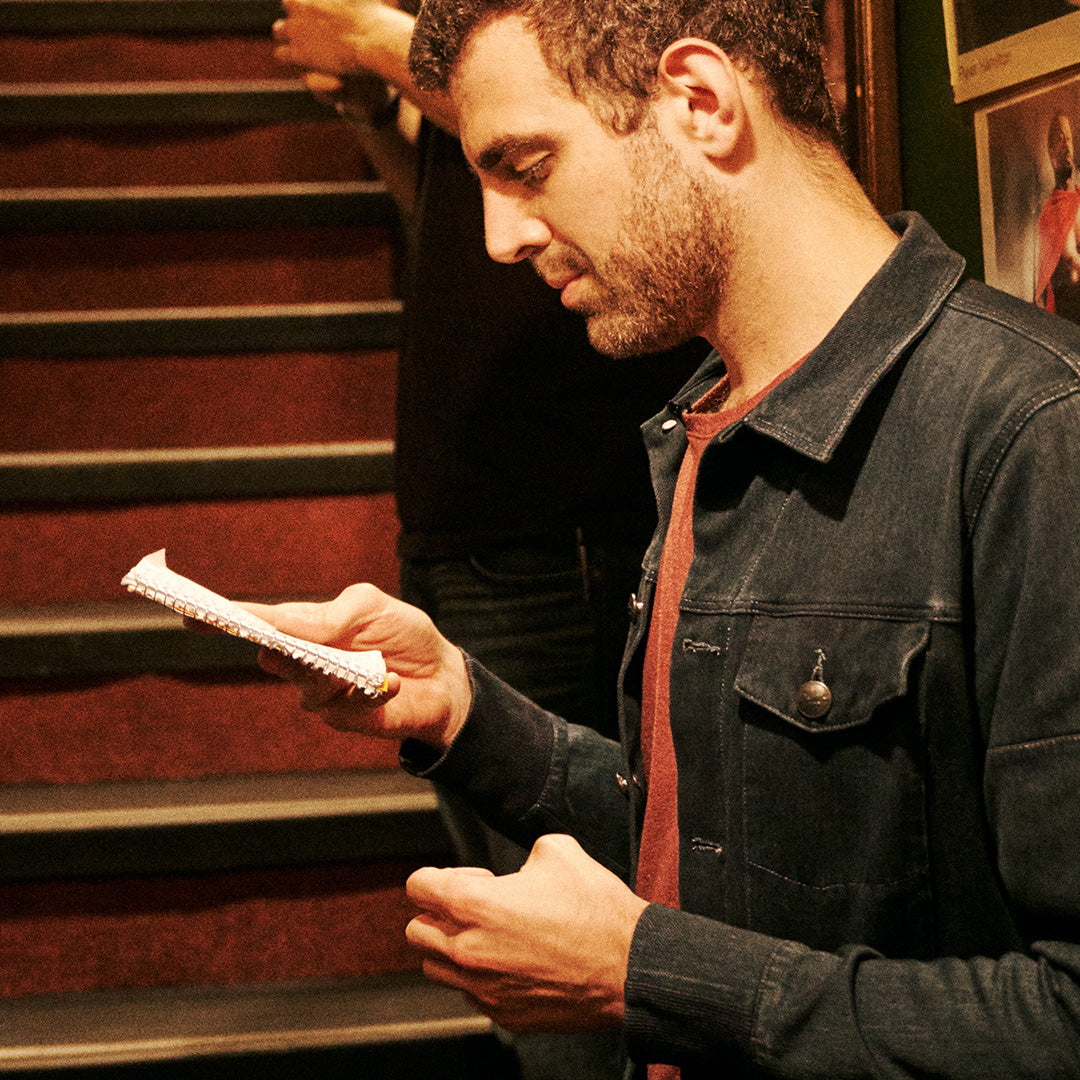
(833, 789)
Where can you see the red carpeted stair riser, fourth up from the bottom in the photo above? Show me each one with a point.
(242, 400)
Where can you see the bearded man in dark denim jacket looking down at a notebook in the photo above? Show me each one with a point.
(841, 833)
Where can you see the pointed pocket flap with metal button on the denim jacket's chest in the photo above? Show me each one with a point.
(862, 664)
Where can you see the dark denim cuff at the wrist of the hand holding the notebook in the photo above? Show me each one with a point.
(503, 755)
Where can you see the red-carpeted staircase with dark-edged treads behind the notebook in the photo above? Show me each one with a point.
(198, 330)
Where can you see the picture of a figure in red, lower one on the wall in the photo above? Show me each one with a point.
(1030, 200)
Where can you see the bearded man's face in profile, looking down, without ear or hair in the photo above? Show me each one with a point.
(619, 224)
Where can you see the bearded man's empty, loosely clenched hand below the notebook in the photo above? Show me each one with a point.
(544, 950)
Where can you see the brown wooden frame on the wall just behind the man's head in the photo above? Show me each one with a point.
(861, 67)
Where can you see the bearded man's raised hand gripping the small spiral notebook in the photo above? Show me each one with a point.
(428, 694)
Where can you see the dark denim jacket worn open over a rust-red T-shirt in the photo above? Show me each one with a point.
(883, 882)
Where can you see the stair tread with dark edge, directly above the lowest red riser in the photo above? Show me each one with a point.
(107, 830)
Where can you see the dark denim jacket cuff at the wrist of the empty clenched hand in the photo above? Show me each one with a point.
(693, 988)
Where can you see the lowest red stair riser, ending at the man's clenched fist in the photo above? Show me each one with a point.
(209, 929)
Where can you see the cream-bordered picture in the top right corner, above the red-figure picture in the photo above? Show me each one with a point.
(994, 45)
